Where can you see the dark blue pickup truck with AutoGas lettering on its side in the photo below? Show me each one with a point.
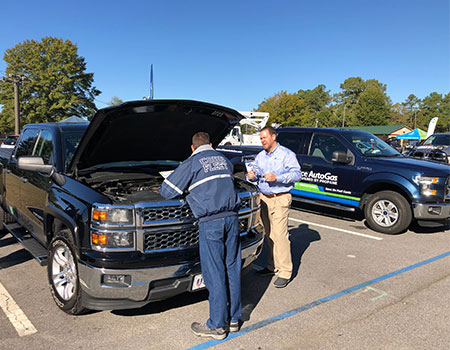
(350, 170)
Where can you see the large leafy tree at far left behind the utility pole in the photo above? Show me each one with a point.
(59, 85)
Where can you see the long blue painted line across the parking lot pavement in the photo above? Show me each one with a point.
(324, 300)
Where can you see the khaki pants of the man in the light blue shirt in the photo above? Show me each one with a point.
(274, 215)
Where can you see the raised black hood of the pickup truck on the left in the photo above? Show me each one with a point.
(150, 130)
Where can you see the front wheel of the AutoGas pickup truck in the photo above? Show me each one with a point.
(388, 212)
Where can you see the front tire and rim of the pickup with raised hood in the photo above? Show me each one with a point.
(63, 275)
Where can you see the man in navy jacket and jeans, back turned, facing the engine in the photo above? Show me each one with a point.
(208, 176)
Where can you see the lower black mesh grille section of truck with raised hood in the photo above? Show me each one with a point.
(178, 238)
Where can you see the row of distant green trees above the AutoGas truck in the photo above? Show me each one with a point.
(359, 103)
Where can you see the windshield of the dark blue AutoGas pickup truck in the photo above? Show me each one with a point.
(371, 146)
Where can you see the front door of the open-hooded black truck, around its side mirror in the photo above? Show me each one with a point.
(35, 190)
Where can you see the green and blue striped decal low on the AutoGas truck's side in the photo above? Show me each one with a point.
(324, 193)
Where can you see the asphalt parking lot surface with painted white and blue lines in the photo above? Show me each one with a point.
(353, 288)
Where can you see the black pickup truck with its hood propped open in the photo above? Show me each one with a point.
(83, 199)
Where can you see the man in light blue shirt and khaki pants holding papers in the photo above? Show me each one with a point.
(276, 168)
